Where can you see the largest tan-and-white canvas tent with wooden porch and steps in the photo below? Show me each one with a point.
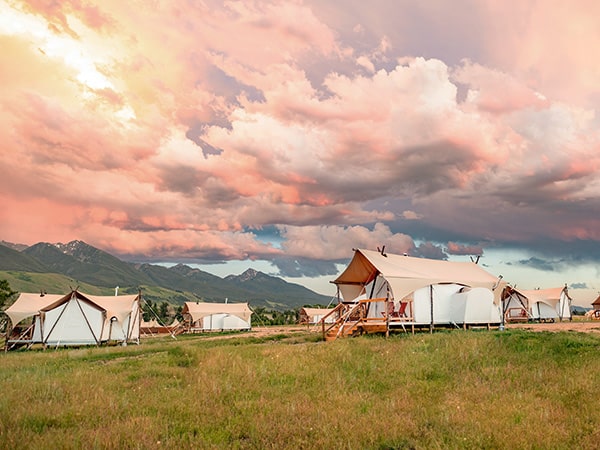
(381, 292)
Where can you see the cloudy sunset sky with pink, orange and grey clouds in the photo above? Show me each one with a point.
(280, 135)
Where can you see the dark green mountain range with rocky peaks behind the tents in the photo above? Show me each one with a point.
(55, 267)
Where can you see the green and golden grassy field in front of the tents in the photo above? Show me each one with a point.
(474, 389)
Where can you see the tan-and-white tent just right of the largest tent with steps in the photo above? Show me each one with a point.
(538, 304)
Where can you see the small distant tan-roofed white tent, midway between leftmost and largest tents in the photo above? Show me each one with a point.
(201, 316)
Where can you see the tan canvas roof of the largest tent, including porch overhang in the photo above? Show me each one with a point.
(407, 274)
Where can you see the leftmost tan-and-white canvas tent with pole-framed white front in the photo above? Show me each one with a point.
(73, 319)
